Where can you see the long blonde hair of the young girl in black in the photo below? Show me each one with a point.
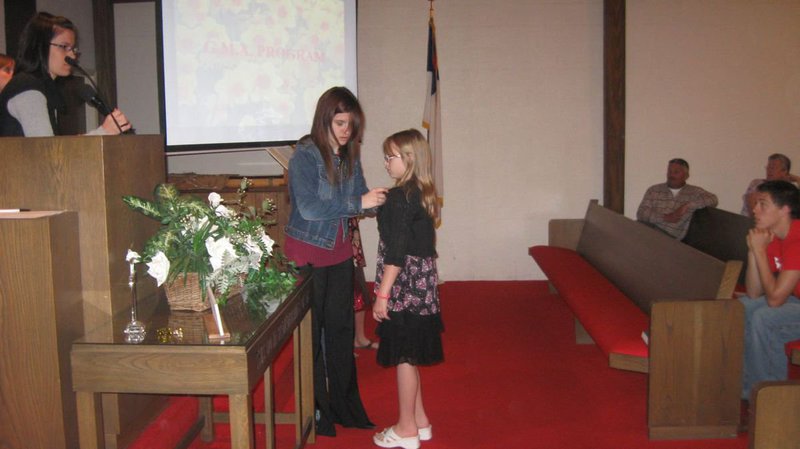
(416, 154)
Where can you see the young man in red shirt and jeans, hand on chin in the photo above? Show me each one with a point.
(772, 307)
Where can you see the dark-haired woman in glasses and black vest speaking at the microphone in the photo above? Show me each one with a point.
(31, 102)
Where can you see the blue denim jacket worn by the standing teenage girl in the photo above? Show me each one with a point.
(319, 208)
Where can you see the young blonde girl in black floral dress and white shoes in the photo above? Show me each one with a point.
(407, 304)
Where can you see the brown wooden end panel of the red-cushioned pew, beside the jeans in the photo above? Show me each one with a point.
(695, 368)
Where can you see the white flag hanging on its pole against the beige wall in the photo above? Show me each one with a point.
(432, 117)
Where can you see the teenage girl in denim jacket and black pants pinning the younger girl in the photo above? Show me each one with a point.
(326, 187)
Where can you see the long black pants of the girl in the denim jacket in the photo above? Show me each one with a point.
(335, 384)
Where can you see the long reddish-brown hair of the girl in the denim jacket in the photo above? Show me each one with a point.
(337, 100)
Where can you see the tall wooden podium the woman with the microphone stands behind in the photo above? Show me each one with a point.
(89, 175)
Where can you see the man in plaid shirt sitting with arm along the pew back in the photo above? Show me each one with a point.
(669, 206)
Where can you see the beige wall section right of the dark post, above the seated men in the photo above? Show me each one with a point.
(716, 82)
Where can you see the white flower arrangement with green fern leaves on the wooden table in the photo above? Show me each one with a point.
(225, 246)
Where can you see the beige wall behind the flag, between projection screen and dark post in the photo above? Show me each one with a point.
(521, 111)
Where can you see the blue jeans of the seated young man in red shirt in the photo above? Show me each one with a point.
(767, 330)
